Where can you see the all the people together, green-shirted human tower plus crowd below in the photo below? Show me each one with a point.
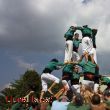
(76, 95)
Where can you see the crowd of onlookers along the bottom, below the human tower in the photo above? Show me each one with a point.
(87, 101)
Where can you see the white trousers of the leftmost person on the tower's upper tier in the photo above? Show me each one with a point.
(68, 50)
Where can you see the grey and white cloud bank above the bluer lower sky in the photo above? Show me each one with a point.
(39, 25)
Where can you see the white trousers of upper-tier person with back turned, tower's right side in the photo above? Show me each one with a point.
(87, 44)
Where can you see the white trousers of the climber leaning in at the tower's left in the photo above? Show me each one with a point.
(45, 77)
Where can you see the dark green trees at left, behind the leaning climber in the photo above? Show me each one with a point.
(30, 80)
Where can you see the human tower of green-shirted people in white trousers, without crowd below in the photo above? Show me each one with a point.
(73, 63)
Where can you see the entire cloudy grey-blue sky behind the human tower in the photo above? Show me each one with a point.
(32, 33)
